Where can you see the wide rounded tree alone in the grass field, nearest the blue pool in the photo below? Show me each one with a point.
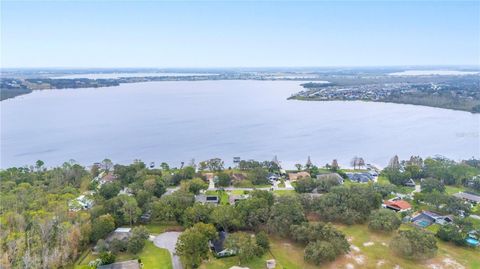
(414, 244)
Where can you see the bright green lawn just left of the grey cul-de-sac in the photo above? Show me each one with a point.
(151, 257)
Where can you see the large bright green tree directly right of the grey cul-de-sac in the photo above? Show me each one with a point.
(192, 244)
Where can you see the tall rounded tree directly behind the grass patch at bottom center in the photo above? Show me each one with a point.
(286, 211)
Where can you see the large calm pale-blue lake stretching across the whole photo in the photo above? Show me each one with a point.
(180, 120)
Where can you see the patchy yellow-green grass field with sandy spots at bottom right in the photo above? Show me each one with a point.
(369, 250)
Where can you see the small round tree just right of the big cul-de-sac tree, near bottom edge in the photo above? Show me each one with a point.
(244, 245)
